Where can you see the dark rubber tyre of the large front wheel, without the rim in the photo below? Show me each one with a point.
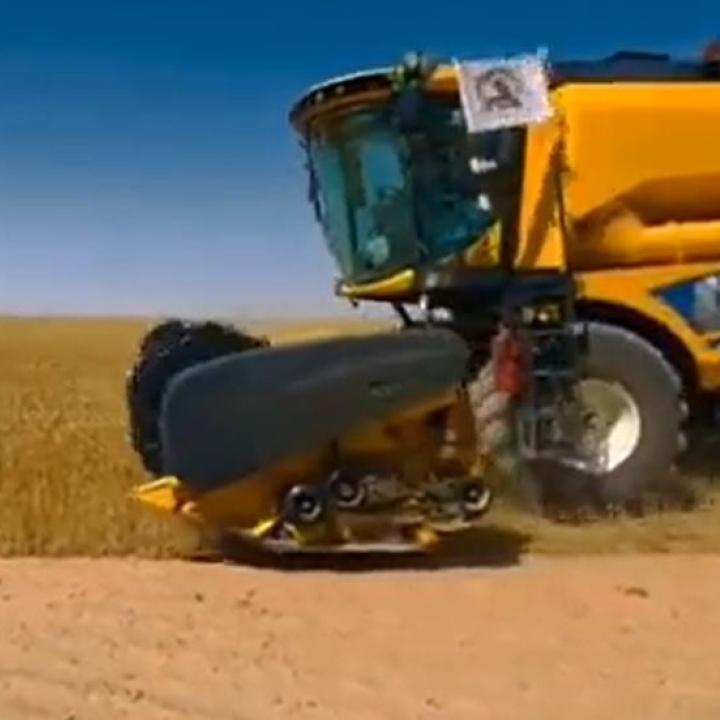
(617, 355)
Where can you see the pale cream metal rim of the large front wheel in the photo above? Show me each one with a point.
(611, 424)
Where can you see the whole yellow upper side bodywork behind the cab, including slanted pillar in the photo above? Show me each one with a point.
(640, 177)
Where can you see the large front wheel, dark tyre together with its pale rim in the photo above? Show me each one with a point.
(641, 443)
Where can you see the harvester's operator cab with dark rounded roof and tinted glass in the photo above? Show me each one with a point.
(391, 173)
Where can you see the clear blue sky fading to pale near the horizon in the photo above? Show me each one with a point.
(146, 162)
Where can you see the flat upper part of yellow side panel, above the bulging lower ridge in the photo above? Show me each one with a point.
(651, 147)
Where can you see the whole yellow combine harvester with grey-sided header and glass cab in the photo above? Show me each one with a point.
(549, 235)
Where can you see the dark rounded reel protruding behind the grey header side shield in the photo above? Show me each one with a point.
(168, 349)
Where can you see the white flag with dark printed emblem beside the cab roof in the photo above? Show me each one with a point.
(504, 93)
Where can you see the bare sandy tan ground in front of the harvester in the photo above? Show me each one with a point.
(570, 638)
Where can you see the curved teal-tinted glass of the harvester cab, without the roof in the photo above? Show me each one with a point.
(388, 200)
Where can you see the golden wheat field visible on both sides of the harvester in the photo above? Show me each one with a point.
(66, 468)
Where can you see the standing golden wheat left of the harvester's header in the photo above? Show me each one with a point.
(64, 465)
